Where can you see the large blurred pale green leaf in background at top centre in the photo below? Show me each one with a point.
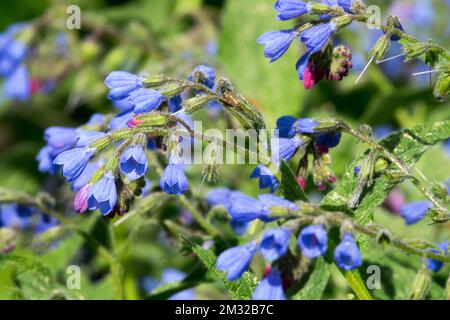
(275, 86)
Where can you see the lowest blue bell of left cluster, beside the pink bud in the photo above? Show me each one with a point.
(103, 195)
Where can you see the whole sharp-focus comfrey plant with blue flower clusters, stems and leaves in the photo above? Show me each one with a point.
(267, 246)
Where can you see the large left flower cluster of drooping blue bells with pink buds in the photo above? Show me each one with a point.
(148, 105)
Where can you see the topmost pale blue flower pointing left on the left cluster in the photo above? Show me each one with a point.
(122, 83)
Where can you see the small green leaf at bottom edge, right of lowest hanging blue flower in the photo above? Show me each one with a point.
(316, 283)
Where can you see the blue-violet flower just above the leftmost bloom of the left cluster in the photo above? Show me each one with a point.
(60, 139)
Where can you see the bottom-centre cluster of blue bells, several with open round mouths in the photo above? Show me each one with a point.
(273, 245)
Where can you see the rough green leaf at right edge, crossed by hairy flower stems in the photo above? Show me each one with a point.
(408, 145)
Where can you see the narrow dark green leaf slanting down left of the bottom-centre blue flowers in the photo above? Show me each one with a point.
(241, 289)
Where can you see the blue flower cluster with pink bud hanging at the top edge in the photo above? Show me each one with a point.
(321, 60)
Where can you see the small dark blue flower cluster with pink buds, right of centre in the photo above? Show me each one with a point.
(313, 136)
